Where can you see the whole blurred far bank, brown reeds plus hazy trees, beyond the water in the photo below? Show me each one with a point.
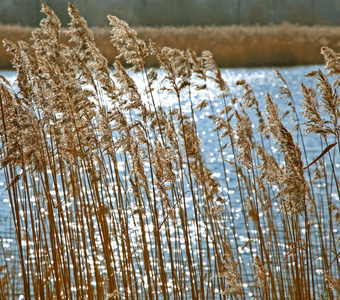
(239, 33)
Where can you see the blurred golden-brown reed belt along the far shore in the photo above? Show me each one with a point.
(232, 46)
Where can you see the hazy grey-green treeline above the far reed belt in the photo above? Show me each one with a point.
(179, 12)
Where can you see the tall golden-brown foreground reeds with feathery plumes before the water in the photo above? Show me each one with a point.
(111, 194)
